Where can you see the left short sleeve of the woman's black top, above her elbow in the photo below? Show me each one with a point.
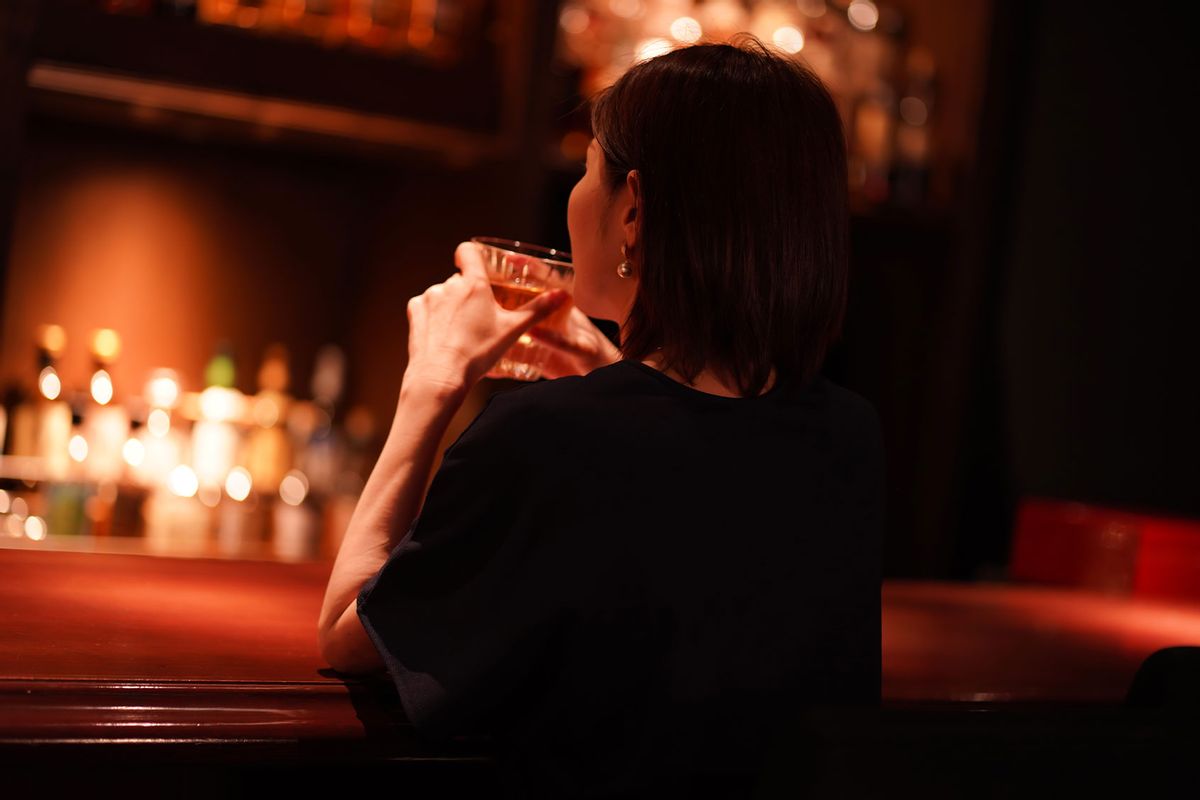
(465, 606)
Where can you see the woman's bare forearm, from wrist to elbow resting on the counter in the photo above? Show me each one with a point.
(387, 509)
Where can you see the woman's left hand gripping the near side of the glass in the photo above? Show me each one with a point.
(458, 332)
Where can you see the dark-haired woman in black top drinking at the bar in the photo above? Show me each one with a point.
(635, 575)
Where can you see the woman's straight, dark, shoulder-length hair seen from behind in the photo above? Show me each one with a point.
(743, 210)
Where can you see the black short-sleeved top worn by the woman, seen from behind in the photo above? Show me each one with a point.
(631, 582)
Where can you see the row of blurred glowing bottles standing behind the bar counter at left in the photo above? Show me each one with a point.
(167, 471)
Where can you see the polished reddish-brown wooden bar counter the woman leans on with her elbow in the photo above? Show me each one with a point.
(137, 648)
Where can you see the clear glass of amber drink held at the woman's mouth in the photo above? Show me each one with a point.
(519, 273)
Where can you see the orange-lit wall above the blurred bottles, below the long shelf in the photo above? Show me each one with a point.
(179, 246)
